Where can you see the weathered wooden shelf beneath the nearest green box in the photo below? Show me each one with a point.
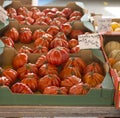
(58, 111)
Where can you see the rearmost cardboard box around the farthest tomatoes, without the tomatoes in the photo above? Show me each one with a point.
(79, 6)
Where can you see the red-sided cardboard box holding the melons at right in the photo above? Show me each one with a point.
(113, 72)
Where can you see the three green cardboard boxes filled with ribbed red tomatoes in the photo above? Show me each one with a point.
(46, 62)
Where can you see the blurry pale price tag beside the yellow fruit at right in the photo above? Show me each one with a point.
(104, 25)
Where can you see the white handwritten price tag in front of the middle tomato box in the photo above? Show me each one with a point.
(89, 41)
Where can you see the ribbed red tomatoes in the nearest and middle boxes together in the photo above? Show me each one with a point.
(56, 71)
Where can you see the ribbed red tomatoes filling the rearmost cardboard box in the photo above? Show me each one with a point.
(47, 16)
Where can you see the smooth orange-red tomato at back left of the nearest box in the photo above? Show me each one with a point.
(19, 60)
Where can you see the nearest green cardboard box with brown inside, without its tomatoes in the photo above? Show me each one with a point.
(95, 97)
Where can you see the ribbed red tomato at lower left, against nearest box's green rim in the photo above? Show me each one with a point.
(21, 88)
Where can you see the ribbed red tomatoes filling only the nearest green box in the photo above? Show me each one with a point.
(73, 76)
